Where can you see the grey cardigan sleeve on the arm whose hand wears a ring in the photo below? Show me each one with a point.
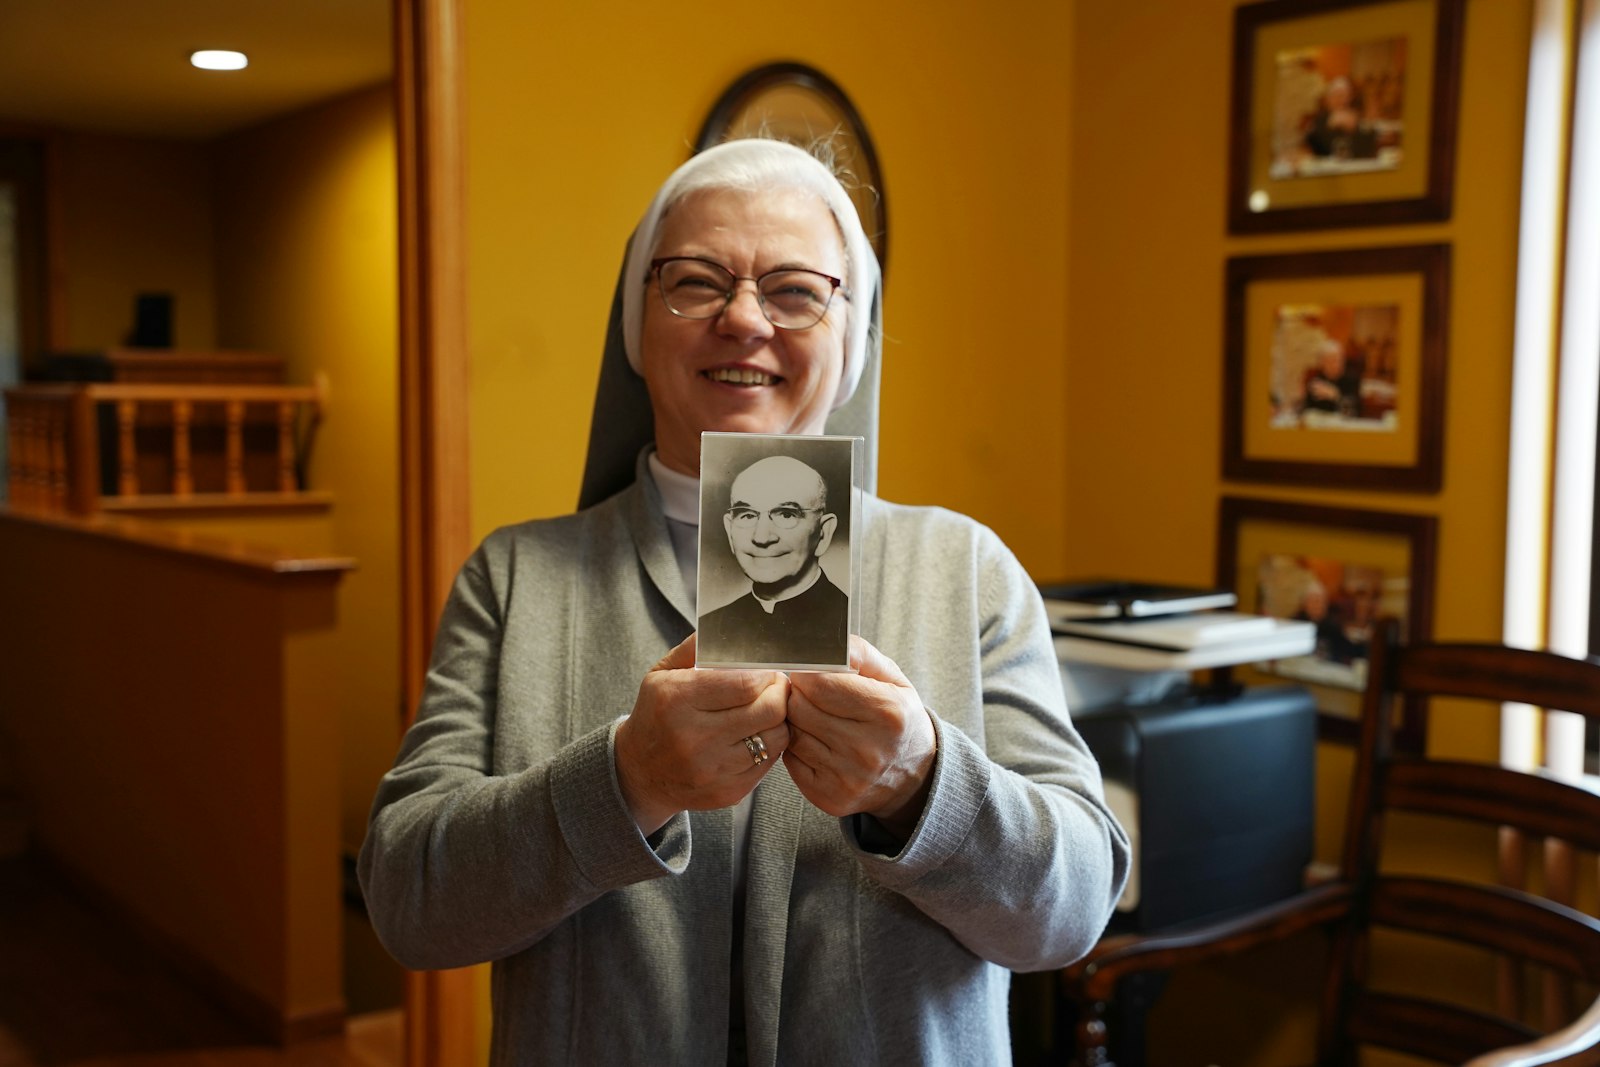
(460, 865)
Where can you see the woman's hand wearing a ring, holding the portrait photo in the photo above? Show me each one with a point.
(682, 748)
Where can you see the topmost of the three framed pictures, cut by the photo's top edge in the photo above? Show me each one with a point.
(1343, 113)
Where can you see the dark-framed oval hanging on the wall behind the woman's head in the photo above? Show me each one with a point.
(798, 103)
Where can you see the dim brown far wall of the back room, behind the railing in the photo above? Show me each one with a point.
(135, 218)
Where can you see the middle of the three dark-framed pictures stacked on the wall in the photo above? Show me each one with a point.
(1334, 369)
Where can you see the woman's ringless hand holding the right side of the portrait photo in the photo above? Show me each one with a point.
(862, 743)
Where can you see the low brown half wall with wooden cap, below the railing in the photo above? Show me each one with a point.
(166, 754)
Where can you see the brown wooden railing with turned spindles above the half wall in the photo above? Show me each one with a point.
(92, 447)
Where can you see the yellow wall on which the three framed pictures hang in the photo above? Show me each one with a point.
(1142, 418)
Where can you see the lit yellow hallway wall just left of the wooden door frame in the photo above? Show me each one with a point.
(306, 268)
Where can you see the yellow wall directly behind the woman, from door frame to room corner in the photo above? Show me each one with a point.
(575, 118)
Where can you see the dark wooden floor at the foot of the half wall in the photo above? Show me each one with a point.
(76, 989)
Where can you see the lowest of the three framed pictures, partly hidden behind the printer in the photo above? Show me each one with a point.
(1338, 569)
